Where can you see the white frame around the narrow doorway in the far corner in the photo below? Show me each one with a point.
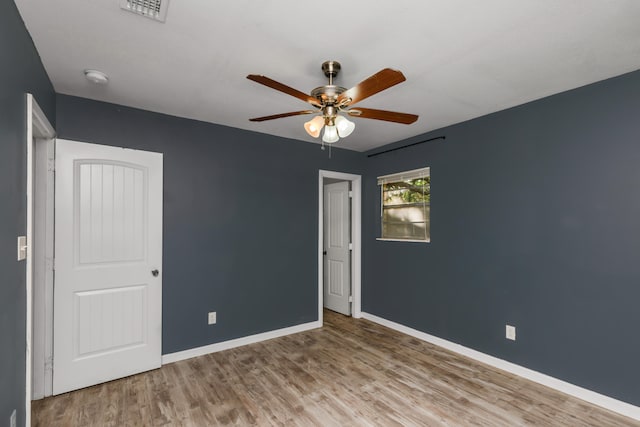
(356, 224)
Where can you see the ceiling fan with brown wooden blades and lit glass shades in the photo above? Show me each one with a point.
(331, 100)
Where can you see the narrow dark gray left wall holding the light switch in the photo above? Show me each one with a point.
(21, 72)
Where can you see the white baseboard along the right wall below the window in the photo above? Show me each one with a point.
(598, 399)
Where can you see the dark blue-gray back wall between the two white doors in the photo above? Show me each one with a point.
(240, 218)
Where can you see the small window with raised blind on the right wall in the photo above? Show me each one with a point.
(405, 209)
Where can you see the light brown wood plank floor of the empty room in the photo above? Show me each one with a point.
(348, 373)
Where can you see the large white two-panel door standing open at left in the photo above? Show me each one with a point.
(108, 256)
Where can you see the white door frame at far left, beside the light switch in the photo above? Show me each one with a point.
(38, 127)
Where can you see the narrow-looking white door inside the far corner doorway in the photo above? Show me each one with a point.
(337, 256)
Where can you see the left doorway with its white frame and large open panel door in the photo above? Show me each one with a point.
(109, 200)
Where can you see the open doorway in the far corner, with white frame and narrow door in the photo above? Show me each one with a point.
(339, 235)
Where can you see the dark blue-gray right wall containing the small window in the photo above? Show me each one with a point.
(535, 222)
